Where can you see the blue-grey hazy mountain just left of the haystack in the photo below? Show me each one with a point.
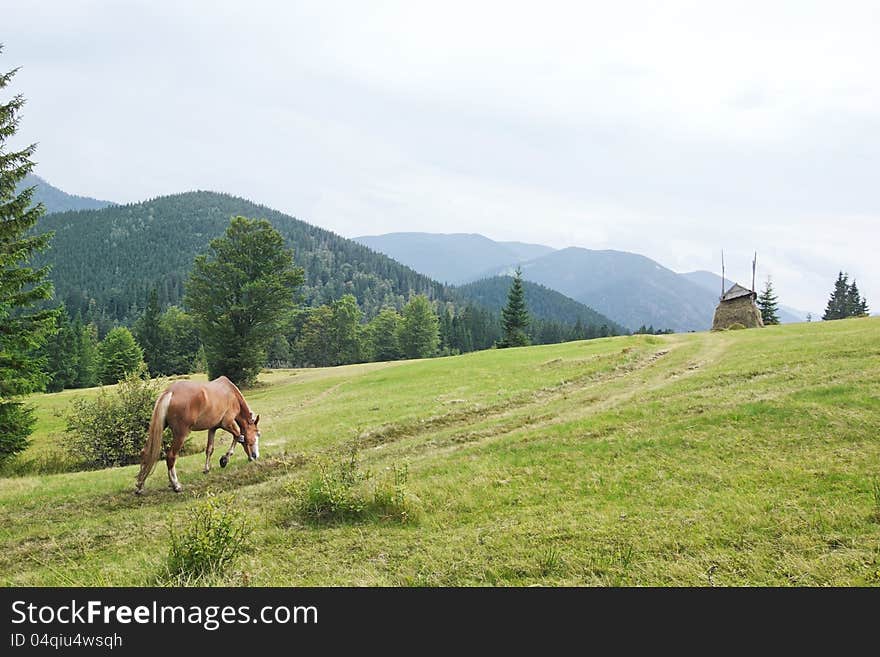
(629, 288)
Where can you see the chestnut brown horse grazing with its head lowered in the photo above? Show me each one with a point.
(187, 406)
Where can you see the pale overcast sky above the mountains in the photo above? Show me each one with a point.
(667, 129)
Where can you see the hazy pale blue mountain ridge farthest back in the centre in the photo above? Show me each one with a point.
(453, 258)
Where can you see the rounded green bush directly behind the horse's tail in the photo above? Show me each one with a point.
(111, 429)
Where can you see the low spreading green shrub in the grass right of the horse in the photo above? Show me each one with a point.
(338, 491)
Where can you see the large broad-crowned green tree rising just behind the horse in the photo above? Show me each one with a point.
(243, 293)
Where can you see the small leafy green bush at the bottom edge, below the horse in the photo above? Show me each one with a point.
(213, 538)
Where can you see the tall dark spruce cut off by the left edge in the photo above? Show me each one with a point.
(23, 326)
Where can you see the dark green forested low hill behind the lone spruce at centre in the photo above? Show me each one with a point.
(543, 303)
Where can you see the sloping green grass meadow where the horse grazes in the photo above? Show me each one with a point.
(732, 458)
